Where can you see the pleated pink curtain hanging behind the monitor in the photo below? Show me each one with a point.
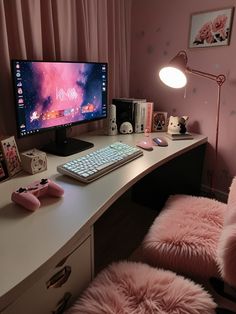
(84, 30)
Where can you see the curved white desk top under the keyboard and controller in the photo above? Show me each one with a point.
(32, 243)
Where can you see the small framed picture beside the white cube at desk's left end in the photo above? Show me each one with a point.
(11, 155)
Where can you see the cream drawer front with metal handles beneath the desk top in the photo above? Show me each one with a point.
(60, 287)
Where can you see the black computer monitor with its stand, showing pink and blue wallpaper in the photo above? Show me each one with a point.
(57, 95)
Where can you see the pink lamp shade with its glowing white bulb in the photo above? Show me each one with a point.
(174, 75)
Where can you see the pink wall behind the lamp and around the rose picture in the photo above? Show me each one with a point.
(159, 30)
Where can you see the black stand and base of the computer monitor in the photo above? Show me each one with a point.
(65, 146)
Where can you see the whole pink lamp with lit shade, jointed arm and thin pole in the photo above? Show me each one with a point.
(175, 75)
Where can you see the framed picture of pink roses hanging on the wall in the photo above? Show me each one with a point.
(210, 29)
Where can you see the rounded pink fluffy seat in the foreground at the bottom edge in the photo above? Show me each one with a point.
(136, 288)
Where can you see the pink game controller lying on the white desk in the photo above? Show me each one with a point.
(28, 197)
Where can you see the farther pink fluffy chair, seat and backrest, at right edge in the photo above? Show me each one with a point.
(195, 237)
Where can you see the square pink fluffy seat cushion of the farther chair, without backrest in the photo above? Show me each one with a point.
(185, 235)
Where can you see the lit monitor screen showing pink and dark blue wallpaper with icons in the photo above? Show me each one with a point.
(58, 93)
